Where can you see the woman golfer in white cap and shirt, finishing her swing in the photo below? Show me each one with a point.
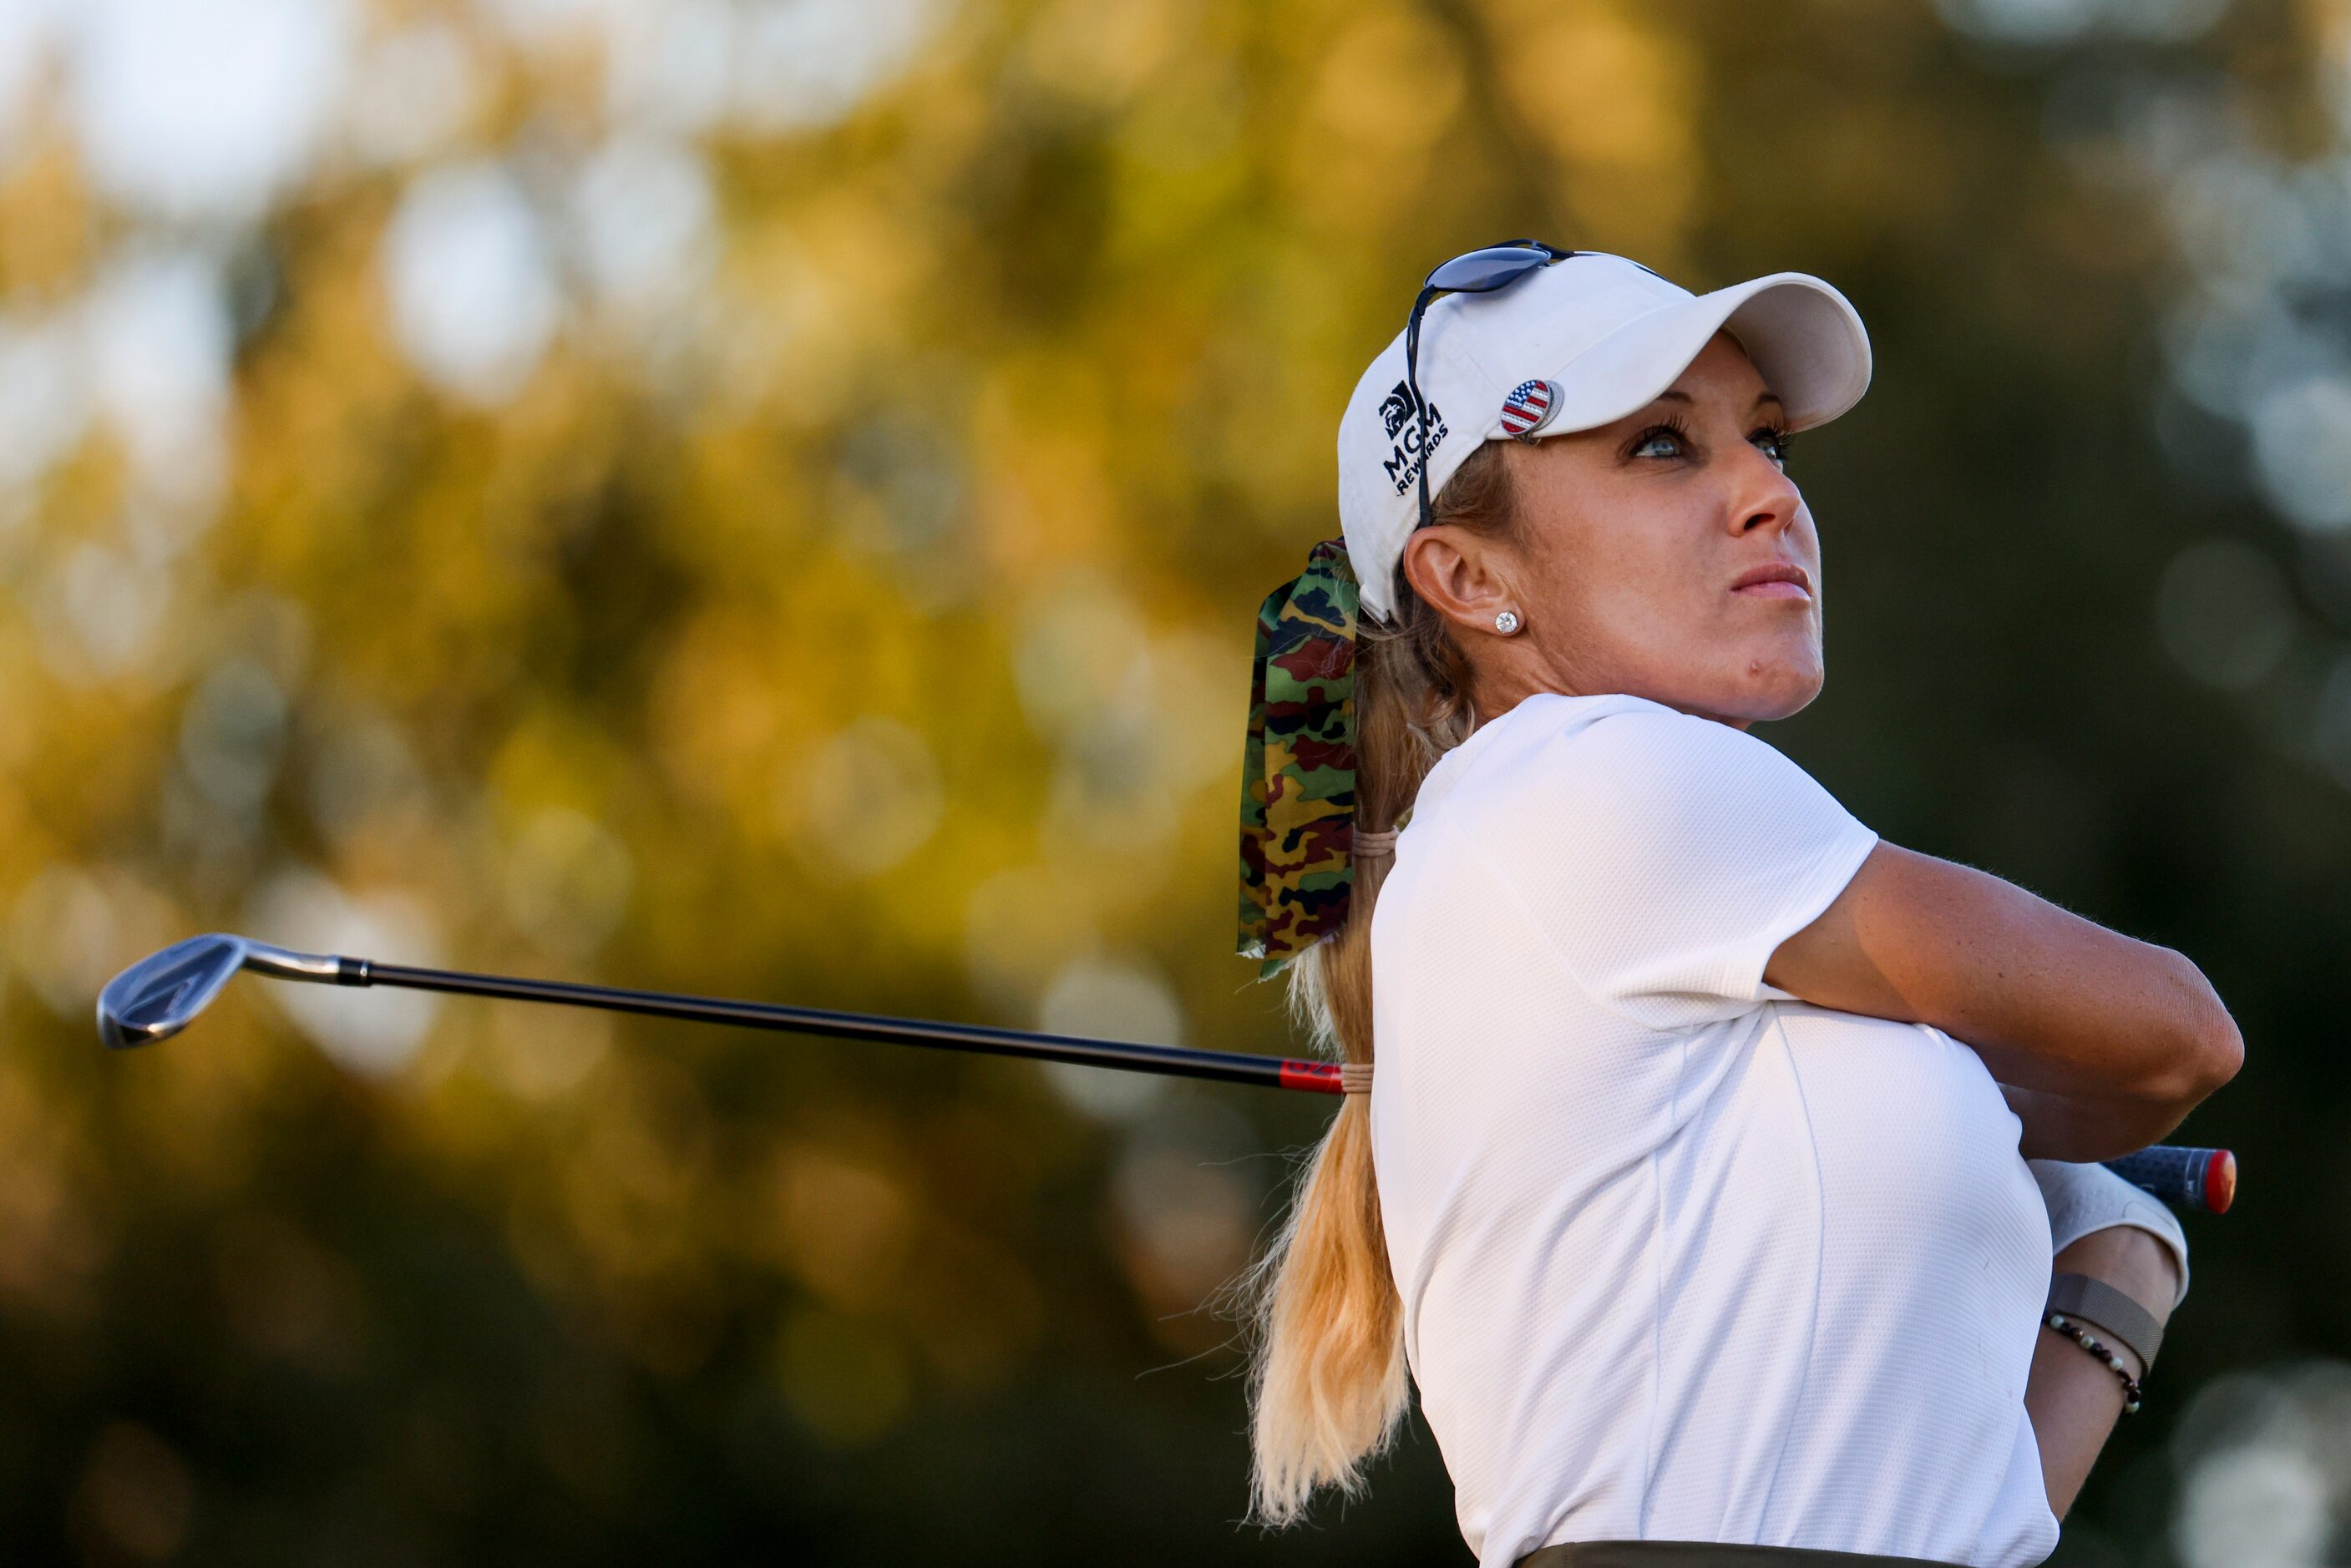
(1715, 1181)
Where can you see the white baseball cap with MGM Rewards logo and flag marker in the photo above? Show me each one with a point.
(1569, 347)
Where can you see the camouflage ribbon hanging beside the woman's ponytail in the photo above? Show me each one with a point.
(1299, 770)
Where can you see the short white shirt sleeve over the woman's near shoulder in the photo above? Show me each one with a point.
(1666, 859)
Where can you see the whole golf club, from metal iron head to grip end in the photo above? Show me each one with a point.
(166, 991)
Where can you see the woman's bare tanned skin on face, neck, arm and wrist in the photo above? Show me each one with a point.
(1670, 556)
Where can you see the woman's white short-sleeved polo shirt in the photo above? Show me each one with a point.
(1682, 1257)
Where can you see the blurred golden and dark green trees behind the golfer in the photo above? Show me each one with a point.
(770, 495)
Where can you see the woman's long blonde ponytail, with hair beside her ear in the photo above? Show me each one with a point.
(1327, 1379)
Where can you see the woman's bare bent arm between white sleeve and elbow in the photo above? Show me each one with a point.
(2112, 1040)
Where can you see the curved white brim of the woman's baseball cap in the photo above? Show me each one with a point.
(1804, 340)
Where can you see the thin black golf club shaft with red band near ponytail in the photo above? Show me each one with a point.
(1170, 1061)
